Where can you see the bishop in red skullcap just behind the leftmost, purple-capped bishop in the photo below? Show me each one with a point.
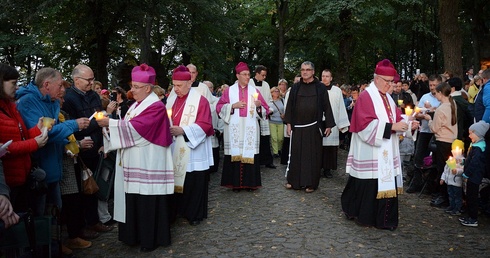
(192, 148)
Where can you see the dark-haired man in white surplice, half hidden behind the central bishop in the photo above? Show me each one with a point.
(258, 81)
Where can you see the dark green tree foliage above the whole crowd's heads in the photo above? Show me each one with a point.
(348, 37)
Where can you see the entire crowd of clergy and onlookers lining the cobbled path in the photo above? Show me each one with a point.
(166, 144)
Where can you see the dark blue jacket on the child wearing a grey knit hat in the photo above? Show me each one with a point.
(474, 165)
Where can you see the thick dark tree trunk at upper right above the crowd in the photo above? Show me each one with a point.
(450, 34)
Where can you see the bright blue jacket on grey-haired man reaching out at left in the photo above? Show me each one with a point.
(32, 105)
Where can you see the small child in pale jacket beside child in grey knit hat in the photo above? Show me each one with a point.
(452, 177)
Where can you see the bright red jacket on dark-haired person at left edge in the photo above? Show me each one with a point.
(17, 162)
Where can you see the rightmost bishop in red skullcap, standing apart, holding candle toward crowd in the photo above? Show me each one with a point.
(373, 163)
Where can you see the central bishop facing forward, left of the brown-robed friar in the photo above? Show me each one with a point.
(241, 106)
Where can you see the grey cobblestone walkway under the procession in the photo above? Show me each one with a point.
(276, 222)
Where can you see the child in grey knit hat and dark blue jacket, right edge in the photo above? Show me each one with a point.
(474, 169)
